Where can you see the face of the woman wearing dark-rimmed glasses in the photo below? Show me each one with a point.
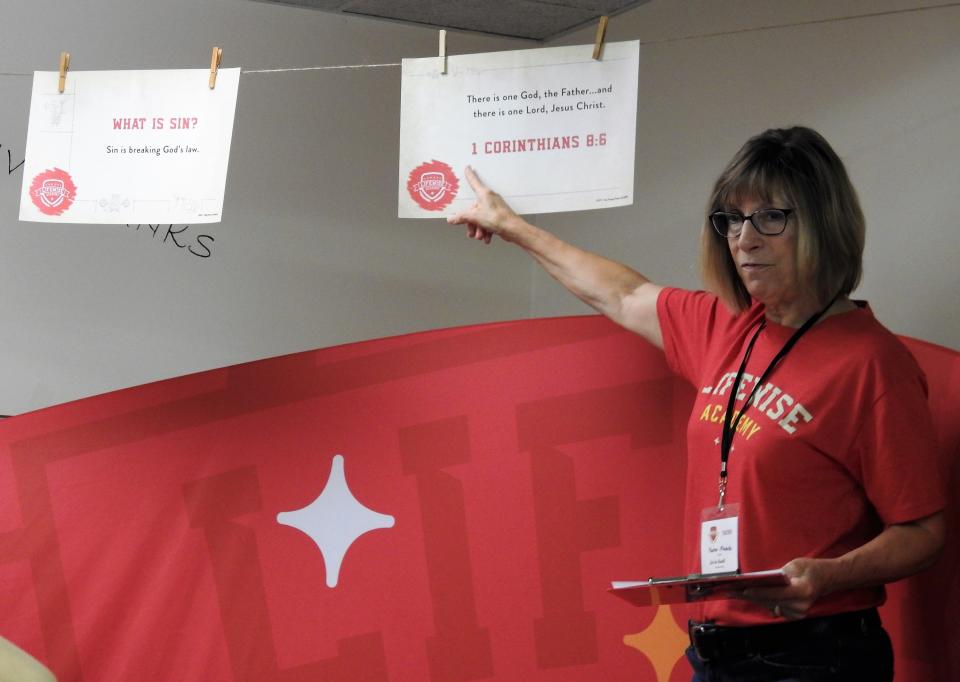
(767, 265)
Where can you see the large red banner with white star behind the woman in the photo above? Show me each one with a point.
(442, 506)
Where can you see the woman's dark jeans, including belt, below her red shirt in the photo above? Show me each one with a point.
(808, 654)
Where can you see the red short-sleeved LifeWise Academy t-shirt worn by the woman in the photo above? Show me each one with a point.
(836, 444)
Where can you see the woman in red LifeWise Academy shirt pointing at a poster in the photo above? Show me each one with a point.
(810, 443)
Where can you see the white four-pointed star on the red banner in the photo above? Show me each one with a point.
(335, 520)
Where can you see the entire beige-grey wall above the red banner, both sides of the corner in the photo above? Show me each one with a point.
(310, 254)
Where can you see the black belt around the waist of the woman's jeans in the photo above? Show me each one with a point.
(713, 643)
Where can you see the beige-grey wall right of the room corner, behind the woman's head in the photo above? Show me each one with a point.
(885, 90)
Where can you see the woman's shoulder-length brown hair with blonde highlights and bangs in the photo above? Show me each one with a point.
(797, 166)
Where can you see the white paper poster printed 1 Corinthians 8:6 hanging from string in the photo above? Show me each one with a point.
(549, 129)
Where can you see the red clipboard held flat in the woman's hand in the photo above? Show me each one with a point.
(695, 587)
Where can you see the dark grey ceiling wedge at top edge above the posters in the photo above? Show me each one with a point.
(531, 19)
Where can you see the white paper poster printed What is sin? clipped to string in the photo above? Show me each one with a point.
(128, 146)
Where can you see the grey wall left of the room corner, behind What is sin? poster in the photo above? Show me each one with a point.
(310, 252)
